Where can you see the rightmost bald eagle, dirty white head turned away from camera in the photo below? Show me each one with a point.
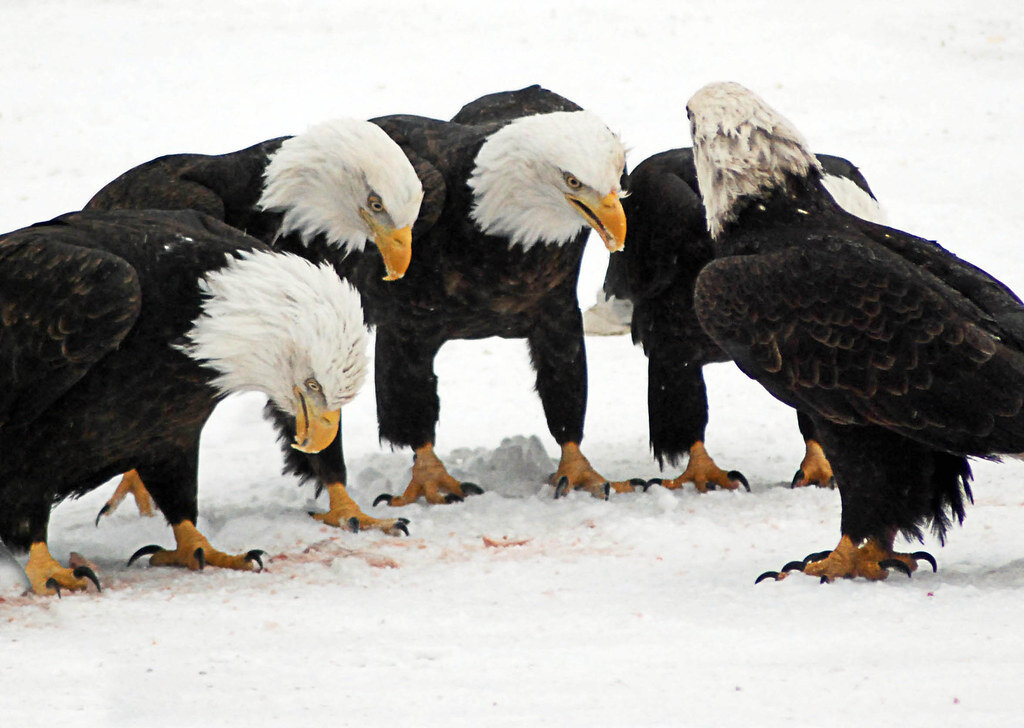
(908, 360)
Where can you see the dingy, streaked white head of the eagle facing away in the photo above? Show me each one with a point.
(743, 149)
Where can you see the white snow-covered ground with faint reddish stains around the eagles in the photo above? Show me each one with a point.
(515, 610)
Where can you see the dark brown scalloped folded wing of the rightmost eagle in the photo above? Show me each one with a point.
(876, 340)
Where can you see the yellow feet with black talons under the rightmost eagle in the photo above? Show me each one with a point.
(871, 560)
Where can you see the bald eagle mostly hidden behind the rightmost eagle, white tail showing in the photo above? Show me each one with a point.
(669, 246)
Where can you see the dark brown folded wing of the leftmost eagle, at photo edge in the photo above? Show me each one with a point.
(63, 308)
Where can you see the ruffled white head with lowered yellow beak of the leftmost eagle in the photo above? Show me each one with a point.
(277, 324)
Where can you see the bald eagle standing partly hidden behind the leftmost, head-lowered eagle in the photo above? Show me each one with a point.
(328, 192)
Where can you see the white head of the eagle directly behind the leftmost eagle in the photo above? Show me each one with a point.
(350, 182)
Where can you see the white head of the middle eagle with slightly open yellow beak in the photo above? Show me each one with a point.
(543, 179)
